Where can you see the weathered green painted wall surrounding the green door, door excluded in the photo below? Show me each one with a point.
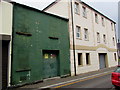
(31, 32)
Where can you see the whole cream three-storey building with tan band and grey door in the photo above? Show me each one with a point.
(92, 36)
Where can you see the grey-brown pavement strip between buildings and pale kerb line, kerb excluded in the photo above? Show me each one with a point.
(56, 80)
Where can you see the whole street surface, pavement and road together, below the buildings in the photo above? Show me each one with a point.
(96, 79)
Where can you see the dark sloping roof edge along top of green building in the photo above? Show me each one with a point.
(13, 2)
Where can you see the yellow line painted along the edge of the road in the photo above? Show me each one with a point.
(81, 80)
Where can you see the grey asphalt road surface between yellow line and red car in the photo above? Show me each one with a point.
(99, 82)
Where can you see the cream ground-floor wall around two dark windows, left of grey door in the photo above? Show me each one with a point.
(94, 62)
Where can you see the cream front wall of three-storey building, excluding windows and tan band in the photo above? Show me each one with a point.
(93, 28)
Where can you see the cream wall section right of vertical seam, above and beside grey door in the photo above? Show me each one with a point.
(109, 35)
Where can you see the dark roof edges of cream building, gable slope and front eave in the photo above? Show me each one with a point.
(53, 3)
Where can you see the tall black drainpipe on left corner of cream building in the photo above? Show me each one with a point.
(73, 37)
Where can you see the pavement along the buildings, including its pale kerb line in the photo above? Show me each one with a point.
(50, 83)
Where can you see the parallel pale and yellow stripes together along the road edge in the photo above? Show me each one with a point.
(58, 85)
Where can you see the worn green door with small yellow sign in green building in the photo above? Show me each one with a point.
(50, 67)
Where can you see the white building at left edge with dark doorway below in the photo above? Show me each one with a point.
(6, 10)
